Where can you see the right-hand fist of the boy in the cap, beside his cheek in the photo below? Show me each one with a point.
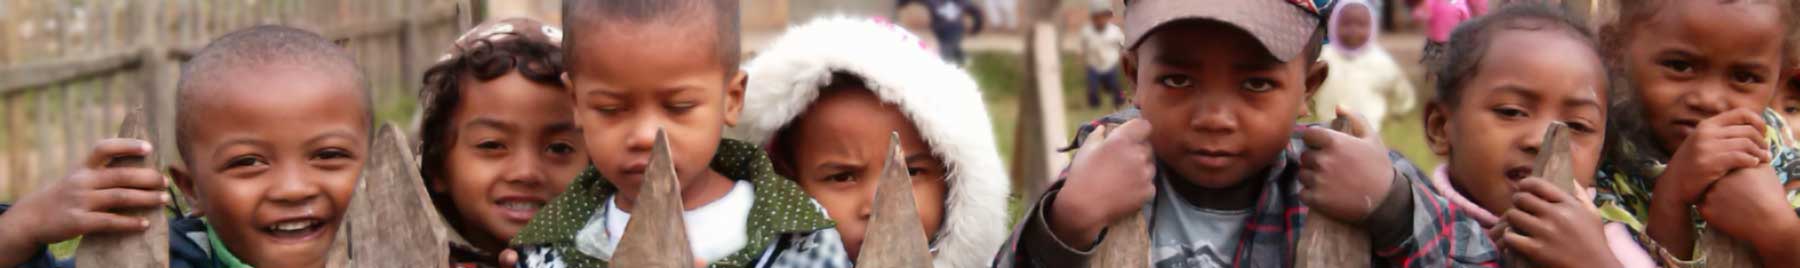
(1344, 177)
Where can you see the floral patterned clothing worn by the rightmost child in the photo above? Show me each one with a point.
(1626, 197)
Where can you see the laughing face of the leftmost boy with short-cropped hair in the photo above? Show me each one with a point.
(274, 163)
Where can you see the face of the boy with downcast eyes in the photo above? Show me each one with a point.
(631, 80)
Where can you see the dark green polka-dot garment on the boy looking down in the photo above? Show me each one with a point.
(780, 208)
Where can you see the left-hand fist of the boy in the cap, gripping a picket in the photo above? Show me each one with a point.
(1106, 183)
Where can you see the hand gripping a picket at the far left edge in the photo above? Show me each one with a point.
(84, 202)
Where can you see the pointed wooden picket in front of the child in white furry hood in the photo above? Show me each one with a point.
(895, 237)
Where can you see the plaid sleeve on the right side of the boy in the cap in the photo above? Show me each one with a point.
(1437, 233)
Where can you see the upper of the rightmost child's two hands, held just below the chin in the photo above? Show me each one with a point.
(1718, 145)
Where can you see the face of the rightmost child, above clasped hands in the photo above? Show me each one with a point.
(1696, 60)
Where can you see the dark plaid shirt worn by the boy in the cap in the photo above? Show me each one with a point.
(1439, 235)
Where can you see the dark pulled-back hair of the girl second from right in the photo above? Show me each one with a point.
(1470, 44)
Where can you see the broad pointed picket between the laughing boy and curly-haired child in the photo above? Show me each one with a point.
(391, 220)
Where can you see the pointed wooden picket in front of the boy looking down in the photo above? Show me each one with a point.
(656, 237)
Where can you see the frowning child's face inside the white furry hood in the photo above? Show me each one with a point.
(838, 154)
